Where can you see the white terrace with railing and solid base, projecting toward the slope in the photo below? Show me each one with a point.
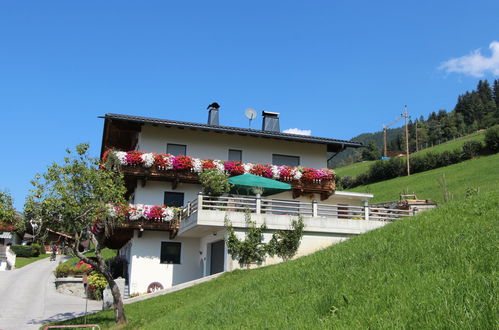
(206, 214)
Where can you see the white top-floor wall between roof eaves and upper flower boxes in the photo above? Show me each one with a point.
(212, 145)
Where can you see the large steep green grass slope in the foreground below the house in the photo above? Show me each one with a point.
(438, 270)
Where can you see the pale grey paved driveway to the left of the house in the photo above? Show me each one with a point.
(28, 297)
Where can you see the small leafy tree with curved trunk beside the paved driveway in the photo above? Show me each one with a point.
(76, 196)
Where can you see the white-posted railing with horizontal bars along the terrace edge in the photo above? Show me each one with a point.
(292, 208)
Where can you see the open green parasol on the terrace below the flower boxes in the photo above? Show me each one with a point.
(247, 182)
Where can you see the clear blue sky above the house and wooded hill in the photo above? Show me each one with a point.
(338, 68)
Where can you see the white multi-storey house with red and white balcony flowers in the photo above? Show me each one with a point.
(163, 249)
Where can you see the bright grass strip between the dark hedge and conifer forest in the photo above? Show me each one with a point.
(362, 167)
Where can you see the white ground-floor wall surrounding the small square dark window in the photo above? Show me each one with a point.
(145, 266)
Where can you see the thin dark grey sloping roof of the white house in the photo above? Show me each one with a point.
(333, 144)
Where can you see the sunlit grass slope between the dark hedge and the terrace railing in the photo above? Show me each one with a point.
(481, 172)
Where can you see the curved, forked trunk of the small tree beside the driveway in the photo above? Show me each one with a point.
(100, 266)
